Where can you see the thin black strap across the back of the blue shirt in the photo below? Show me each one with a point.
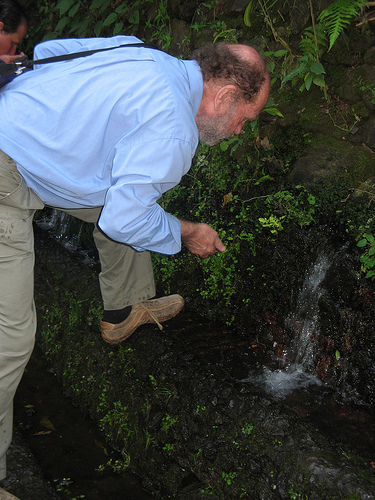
(23, 63)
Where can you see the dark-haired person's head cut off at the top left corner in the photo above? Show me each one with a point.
(13, 28)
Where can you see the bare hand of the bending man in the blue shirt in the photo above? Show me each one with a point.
(200, 239)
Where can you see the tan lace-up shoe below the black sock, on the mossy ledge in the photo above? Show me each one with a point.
(150, 311)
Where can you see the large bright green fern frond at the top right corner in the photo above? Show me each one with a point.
(338, 15)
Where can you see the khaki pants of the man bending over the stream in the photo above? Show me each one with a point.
(126, 278)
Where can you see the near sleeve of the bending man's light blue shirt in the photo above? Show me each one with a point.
(140, 175)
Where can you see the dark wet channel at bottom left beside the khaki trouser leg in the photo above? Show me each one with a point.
(69, 452)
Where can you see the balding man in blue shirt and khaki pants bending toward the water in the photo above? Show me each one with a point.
(102, 137)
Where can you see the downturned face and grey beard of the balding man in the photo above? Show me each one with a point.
(215, 128)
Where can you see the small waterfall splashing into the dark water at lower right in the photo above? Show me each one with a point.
(289, 377)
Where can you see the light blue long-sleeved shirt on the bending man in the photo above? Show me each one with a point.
(114, 129)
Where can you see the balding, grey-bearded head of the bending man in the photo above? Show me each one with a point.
(236, 87)
